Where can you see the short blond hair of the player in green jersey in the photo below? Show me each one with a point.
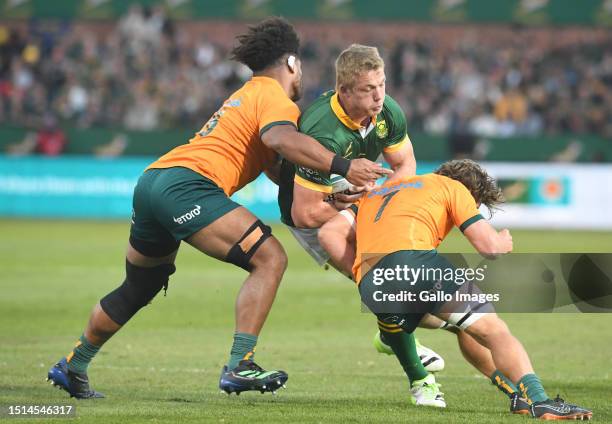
(353, 61)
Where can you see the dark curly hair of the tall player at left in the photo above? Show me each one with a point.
(265, 43)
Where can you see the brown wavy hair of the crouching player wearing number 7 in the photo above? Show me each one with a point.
(482, 186)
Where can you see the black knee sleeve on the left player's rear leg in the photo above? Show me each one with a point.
(140, 286)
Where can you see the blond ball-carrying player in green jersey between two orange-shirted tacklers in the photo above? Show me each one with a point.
(358, 120)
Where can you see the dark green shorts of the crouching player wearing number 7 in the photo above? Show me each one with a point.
(397, 297)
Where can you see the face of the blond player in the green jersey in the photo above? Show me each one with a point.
(368, 93)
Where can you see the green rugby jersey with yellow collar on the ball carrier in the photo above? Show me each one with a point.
(326, 121)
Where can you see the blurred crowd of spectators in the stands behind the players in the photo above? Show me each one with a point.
(149, 72)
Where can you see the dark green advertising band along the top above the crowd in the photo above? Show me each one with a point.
(526, 12)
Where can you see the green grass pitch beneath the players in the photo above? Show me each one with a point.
(164, 365)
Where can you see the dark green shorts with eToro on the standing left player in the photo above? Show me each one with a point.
(171, 204)
